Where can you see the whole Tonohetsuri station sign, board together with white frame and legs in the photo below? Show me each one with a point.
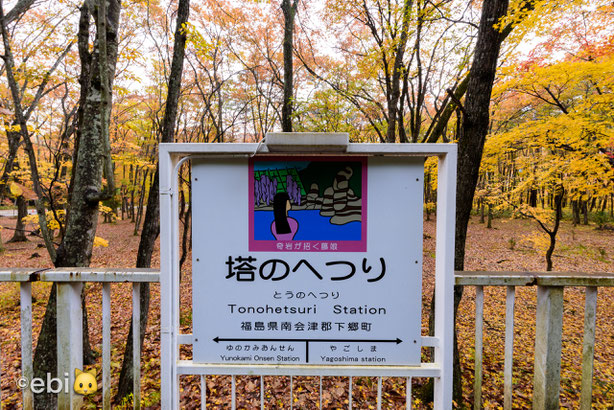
(307, 260)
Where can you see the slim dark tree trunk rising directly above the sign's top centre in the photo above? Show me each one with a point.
(288, 7)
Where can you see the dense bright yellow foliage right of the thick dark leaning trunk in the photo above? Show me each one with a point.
(552, 127)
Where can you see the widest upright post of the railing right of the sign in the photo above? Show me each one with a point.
(548, 333)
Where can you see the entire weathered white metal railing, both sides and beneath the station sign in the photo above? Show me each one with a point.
(548, 338)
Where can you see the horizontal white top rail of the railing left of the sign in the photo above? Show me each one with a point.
(79, 275)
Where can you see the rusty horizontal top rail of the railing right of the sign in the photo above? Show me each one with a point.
(485, 278)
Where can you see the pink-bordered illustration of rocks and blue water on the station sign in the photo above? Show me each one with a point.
(308, 205)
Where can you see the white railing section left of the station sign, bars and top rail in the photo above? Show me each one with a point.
(69, 322)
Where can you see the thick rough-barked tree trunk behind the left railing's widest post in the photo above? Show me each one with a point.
(76, 247)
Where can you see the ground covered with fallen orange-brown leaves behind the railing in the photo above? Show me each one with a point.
(512, 245)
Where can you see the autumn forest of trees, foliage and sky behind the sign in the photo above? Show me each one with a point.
(80, 142)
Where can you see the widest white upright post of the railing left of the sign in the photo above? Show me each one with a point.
(70, 341)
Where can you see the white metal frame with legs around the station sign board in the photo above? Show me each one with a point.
(172, 155)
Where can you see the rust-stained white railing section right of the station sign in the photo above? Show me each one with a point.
(548, 328)
